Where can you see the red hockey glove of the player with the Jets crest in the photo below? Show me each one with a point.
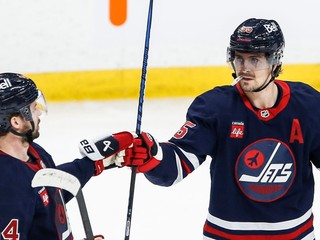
(145, 154)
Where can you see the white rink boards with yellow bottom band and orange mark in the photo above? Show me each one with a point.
(81, 49)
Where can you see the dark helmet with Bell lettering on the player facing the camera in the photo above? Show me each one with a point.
(258, 35)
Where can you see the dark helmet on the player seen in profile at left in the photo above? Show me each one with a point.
(17, 92)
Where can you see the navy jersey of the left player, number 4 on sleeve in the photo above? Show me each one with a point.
(28, 213)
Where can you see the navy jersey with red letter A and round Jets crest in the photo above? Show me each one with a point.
(262, 184)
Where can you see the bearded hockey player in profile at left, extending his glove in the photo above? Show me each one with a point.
(28, 213)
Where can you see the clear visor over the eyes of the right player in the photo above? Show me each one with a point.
(240, 61)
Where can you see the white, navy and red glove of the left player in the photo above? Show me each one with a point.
(104, 150)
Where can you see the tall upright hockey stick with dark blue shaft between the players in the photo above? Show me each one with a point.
(139, 118)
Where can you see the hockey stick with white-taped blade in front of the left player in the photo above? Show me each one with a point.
(56, 178)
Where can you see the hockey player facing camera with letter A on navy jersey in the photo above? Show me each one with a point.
(263, 136)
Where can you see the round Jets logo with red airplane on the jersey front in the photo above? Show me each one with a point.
(265, 170)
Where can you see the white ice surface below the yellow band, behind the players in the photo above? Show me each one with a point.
(173, 213)
